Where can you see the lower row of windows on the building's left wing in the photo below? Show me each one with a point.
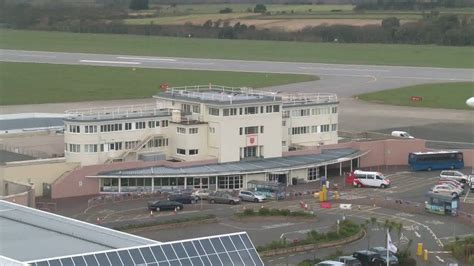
(114, 146)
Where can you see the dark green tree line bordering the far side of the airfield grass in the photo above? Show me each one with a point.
(432, 29)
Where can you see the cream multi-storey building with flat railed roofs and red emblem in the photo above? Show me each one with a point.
(202, 122)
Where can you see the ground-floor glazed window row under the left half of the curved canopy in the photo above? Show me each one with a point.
(152, 184)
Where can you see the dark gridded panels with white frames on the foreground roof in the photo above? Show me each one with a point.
(232, 249)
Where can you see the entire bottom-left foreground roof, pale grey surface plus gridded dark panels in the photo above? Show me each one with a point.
(34, 237)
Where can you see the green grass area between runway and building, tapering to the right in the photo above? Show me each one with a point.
(25, 83)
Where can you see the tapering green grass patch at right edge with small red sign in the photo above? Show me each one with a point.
(442, 95)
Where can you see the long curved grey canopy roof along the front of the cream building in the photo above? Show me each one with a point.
(243, 167)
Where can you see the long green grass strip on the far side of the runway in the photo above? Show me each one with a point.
(376, 54)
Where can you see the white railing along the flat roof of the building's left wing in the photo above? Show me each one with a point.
(115, 112)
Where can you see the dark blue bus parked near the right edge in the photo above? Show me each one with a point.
(435, 160)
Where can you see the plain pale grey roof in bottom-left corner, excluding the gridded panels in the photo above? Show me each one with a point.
(30, 234)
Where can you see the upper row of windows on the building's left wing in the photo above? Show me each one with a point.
(113, 127)
